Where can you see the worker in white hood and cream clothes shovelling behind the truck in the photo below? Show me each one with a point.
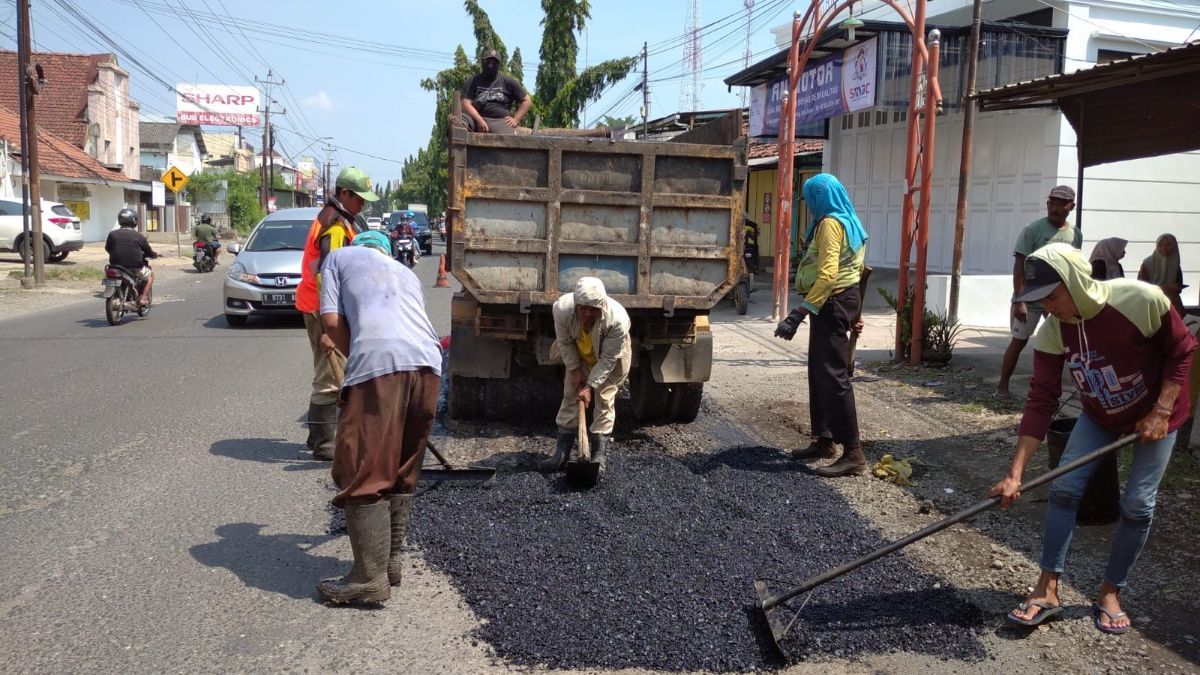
(593, 339)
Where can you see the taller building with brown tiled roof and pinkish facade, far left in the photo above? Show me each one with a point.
(86, 103)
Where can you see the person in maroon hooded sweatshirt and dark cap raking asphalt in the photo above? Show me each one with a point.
(1130, 357)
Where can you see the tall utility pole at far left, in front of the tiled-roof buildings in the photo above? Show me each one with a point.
(32, 81)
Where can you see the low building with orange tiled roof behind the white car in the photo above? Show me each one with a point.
(94, 192)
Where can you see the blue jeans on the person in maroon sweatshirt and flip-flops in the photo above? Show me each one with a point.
(1137, 503)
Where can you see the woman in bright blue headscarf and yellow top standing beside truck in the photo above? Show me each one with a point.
(831, 268)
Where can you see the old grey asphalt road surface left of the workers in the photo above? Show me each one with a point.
(158, 512)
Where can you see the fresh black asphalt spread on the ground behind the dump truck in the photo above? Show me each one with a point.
(655, 568)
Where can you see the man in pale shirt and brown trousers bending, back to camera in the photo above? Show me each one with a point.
(374, 312)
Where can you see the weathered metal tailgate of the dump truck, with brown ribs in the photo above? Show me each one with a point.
(661, 224)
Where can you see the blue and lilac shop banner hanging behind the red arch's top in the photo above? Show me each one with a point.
(841, 83)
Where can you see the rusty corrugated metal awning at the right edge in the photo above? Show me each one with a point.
(1144, 106)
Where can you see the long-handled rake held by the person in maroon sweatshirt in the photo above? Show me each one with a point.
(773, 604)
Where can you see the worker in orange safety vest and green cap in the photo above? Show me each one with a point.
(332, 230)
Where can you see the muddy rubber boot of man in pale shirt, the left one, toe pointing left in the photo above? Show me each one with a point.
(369, 527)
